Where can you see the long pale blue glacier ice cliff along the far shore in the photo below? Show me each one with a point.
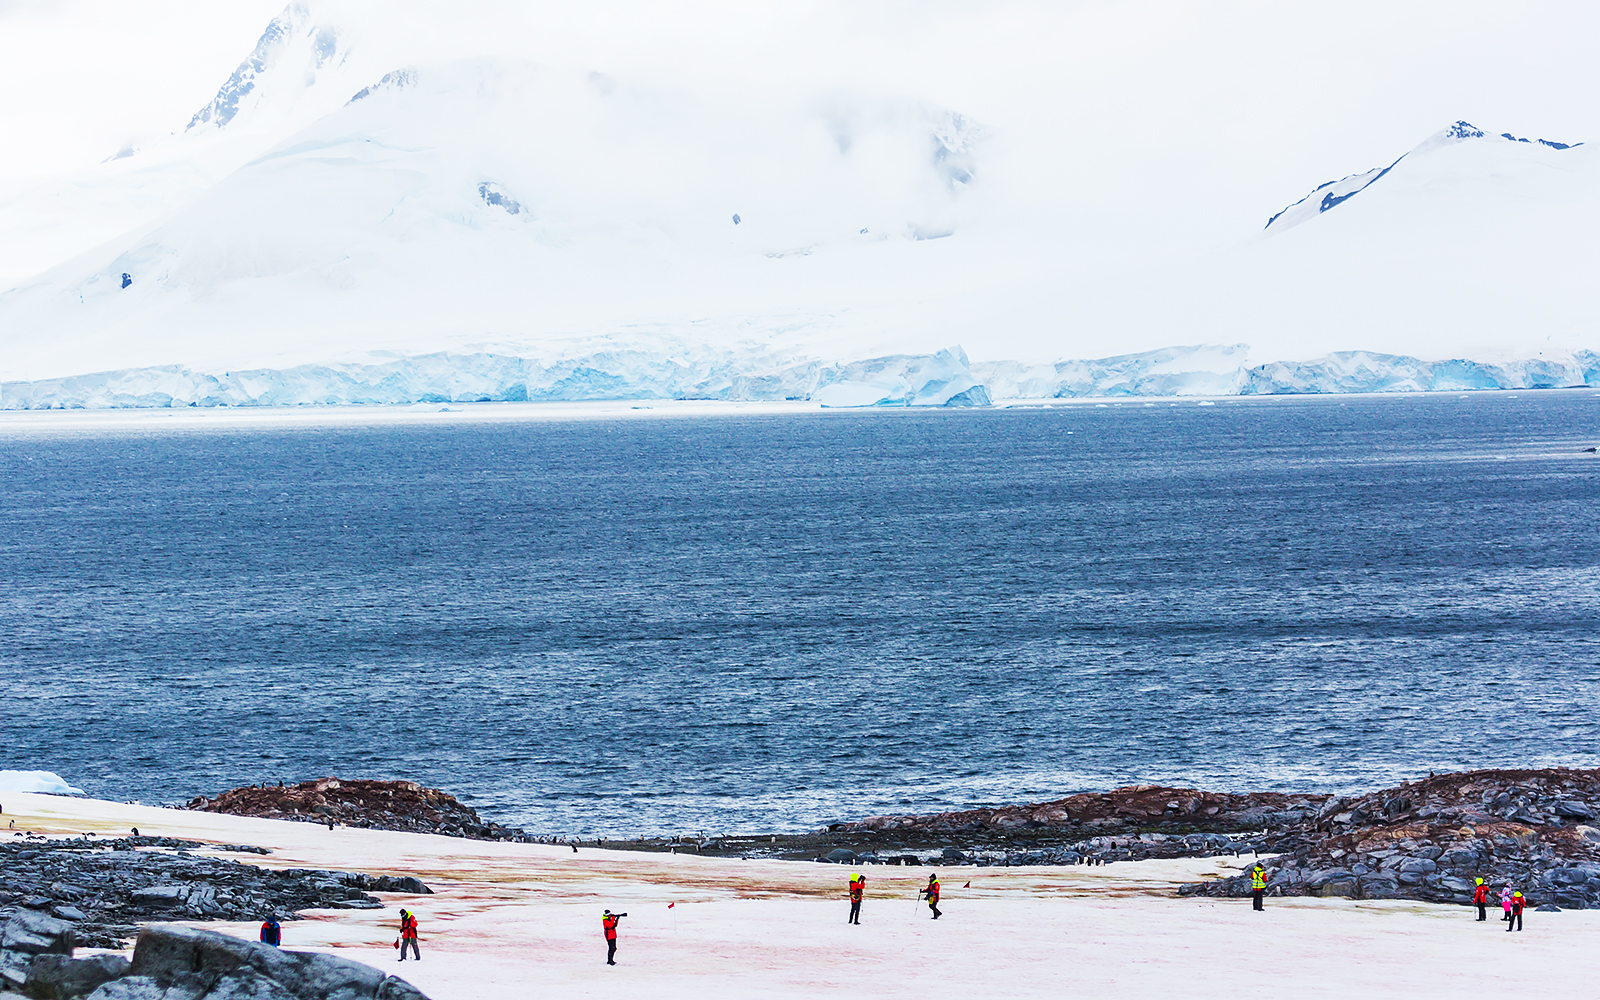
(946, 378)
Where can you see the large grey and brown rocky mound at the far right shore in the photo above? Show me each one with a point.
(1431, 839)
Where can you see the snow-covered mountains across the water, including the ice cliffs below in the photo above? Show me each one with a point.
(340, 226)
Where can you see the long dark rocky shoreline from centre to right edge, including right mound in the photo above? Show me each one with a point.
(1423, 841)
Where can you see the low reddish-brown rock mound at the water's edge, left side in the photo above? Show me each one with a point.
(378, 806)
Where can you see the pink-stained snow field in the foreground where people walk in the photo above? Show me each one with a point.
(516, 921)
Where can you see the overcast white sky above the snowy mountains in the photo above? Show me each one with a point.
(1274, 94)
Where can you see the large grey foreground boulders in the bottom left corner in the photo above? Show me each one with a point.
(180, 964)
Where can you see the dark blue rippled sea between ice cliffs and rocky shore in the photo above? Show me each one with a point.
(767, 623)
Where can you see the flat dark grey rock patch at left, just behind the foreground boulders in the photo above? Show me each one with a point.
(105, 887)
